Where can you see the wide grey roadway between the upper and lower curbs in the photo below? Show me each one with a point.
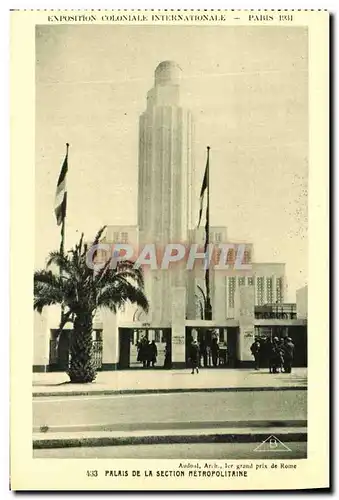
(118, 411)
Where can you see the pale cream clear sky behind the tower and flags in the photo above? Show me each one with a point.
(247, 88)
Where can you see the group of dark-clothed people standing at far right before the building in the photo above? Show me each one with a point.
(276, 353)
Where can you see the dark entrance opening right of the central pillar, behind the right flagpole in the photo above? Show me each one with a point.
(218, 346)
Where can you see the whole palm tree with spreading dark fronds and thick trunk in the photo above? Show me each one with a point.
(81, 291)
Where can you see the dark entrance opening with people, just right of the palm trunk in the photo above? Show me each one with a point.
(146, 348)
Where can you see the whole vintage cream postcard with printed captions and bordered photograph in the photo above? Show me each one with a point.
(169, 324)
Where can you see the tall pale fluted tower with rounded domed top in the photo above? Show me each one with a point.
(165, 180)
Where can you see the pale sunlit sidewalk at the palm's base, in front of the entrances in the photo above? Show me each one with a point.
(160, 381)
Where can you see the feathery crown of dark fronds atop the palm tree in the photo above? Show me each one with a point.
(79, 289)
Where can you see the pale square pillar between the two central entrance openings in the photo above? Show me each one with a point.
(178, 327)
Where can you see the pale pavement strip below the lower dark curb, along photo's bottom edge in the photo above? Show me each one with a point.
(207, 451)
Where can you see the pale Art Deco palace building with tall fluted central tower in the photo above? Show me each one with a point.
(166, 214)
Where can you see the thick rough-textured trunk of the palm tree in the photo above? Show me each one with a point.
(81, 368)
